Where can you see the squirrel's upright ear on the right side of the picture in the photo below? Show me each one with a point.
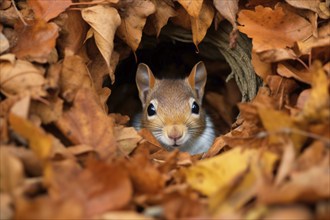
(197, 78)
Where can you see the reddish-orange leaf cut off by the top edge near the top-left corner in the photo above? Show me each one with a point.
(47, 10)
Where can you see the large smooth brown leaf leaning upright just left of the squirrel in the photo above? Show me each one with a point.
(86, 123)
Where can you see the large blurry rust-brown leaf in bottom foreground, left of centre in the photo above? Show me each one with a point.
(100, 187)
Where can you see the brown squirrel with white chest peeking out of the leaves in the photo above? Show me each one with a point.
(172, 110)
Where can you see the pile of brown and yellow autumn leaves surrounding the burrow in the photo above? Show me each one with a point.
(60, 147)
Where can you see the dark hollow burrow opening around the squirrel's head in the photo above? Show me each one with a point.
(168, 58)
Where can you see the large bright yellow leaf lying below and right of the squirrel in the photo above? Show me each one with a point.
(208, 176)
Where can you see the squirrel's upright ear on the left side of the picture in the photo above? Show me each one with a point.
(145, 81)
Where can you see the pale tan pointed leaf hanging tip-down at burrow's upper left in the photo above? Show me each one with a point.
(104, 22)
